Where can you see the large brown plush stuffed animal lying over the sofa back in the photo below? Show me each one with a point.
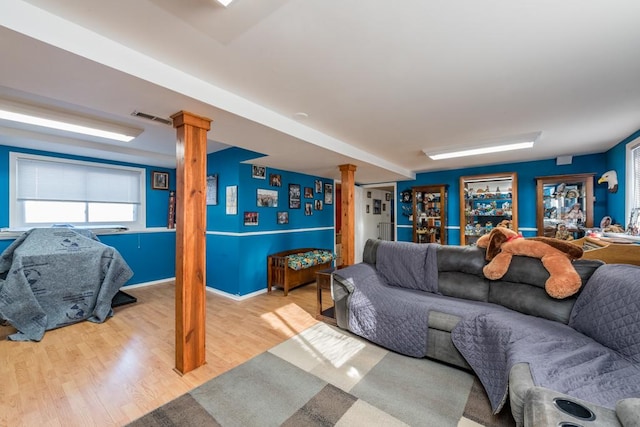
(556, 256)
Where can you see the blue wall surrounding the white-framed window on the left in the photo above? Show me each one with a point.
(151, 255)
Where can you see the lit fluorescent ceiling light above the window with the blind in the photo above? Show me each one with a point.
(65, 121)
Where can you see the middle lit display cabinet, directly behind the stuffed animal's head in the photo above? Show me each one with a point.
(485, 202)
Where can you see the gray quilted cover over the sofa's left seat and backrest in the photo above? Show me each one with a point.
(398, 318)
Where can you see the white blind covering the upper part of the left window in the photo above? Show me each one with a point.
(45, 180)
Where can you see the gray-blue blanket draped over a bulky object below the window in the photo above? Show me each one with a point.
(52, 277)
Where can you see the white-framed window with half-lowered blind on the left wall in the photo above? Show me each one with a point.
(48, 190)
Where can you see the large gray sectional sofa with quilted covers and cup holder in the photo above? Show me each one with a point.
(573, 361)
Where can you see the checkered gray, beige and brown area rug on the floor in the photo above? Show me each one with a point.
(328, 377)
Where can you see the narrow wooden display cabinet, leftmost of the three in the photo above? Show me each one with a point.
(429, 214)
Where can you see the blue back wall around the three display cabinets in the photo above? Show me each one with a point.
(526, 171)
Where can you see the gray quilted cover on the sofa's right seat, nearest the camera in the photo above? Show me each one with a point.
(560, 358)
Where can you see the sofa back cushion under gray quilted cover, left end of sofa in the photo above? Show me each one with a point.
(408, 265)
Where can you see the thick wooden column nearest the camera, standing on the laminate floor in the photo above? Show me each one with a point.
(191, 226)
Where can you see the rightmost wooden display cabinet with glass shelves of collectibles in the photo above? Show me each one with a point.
(564, 205)
